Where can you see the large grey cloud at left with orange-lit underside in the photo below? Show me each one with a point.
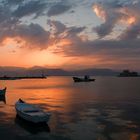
(33, 35)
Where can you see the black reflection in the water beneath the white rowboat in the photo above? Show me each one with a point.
(31, 127)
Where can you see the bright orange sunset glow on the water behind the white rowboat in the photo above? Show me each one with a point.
(54, 95)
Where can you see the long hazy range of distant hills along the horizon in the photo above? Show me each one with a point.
(37, 71)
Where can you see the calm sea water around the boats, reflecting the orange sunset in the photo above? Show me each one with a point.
(107, 109)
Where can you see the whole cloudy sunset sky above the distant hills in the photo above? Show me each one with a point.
(70, 34)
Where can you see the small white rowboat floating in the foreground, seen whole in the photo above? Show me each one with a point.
(31, 112)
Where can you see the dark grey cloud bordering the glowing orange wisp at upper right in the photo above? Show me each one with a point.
(110, 15)
